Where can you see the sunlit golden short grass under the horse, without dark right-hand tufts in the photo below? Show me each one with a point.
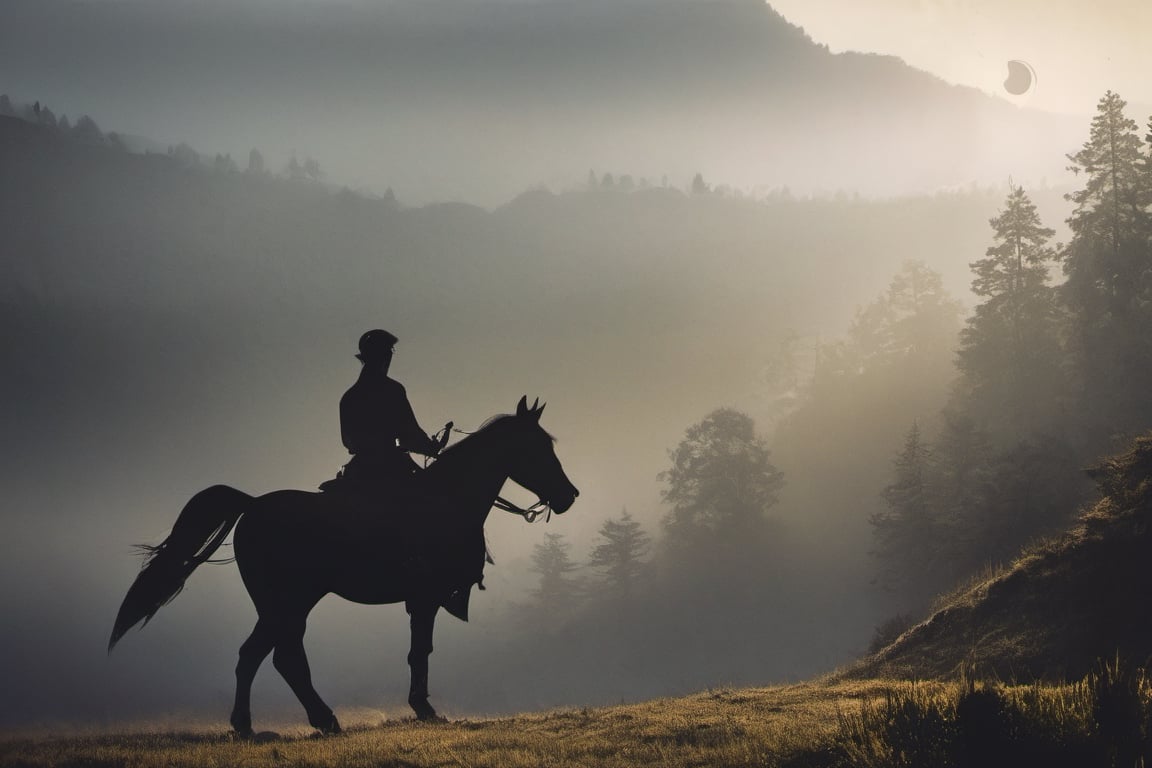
(754, 727)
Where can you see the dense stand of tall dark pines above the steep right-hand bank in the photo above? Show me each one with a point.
(1049, 377)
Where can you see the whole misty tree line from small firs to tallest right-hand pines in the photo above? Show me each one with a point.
(1042, 378)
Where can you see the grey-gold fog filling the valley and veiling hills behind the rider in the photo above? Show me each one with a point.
(168, 326)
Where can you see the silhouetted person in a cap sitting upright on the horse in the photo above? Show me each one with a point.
(377, 423)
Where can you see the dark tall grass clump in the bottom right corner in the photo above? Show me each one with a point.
(1103, 720)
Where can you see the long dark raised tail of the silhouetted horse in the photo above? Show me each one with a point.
(201, 529)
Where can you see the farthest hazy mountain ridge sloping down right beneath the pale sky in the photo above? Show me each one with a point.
(471, 101)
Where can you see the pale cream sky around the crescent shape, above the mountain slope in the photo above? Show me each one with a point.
(1079, 50)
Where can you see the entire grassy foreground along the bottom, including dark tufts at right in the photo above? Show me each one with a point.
(1102, 720)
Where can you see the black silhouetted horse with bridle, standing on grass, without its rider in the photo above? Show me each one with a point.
(294, 548)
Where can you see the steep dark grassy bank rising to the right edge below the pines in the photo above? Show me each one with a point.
(1063, 606)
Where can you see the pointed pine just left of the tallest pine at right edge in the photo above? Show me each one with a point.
(1010, 353)
